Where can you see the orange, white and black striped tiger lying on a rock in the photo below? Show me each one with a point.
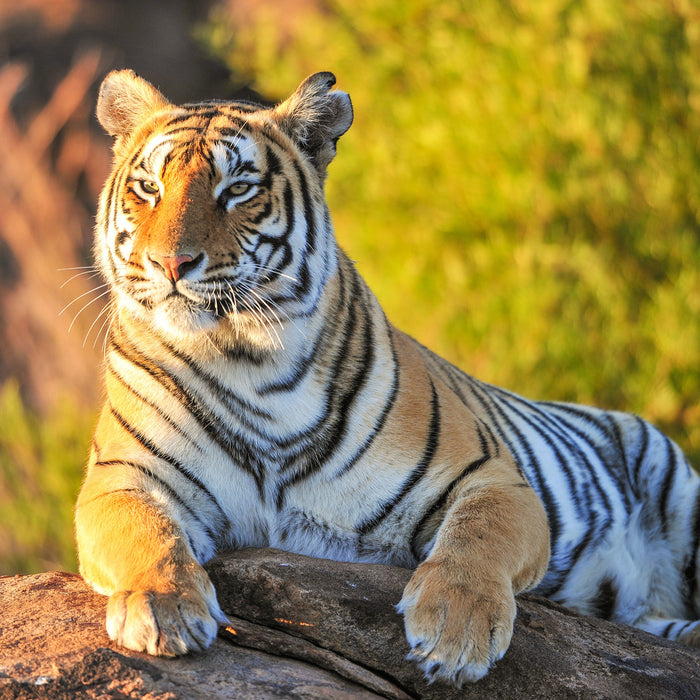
(256, 395)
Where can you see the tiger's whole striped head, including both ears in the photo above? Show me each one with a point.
(213, 220)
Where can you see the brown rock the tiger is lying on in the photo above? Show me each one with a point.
(313, 628)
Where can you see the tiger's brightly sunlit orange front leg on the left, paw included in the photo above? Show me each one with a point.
(160, 598)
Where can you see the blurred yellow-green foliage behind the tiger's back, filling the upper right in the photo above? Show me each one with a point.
(520, 185)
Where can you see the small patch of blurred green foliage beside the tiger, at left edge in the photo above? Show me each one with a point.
(41, 464)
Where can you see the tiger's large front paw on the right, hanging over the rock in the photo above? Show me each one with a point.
(456, 632)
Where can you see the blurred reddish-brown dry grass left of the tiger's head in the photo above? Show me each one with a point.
(44, 233)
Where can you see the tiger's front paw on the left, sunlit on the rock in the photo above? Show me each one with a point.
(163, 624)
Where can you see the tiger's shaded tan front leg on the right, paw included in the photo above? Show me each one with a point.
(459, 606)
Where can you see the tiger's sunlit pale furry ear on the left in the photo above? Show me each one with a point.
(125, 101)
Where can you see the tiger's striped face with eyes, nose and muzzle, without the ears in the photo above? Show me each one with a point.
(203, 232)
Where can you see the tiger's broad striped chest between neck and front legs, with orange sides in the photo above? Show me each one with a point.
(355, 467)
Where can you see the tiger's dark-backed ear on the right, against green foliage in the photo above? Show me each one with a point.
(315, 117)
